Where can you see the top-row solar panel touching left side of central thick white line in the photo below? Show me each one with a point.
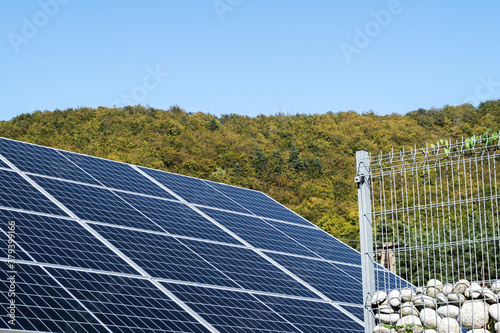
(117, 175)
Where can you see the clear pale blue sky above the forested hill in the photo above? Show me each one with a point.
(248, 56)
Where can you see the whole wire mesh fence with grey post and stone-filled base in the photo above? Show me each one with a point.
(432, 218)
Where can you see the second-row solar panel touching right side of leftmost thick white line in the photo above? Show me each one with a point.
(95, 204)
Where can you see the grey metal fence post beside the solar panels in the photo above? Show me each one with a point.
(365, 230)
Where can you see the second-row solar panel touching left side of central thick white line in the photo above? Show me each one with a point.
(178, 218)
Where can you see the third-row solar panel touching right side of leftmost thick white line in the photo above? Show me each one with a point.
(164, 256)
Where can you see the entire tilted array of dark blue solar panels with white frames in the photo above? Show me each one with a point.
(103, 246)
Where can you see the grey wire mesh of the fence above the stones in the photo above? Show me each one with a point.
(435, 212)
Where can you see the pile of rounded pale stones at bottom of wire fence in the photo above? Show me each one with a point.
(439, 308)
